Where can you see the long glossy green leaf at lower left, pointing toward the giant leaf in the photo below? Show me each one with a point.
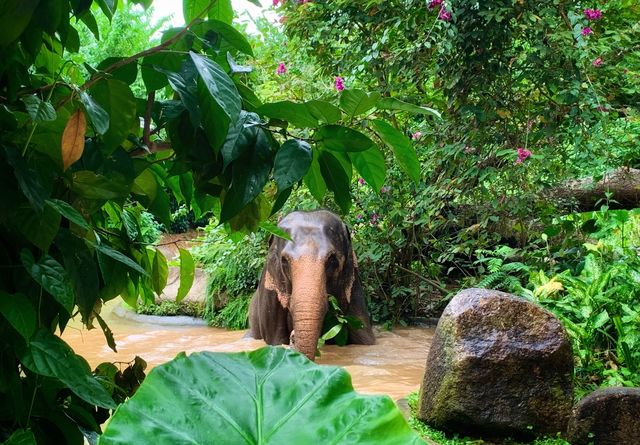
(49, 356)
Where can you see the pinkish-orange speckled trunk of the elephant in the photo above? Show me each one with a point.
(308, 308)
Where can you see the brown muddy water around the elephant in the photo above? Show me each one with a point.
(393, 366)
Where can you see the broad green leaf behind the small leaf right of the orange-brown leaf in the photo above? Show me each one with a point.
(117, 100)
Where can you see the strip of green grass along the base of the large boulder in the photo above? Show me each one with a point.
(439, 437)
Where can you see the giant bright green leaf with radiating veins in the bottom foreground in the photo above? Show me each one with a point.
(269, 396)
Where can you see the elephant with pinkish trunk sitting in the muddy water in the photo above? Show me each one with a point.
(291, 300)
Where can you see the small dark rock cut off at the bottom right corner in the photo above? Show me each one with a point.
(607, 417)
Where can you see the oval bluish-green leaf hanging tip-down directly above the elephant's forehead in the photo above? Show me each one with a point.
(292, 162)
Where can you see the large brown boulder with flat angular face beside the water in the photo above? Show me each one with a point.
(498, 365)
